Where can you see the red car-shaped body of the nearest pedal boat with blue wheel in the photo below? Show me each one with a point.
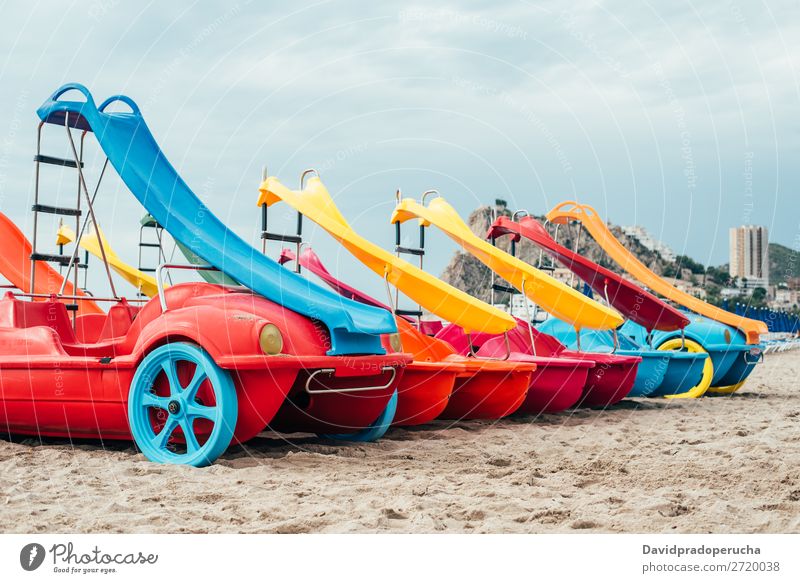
(53, 383)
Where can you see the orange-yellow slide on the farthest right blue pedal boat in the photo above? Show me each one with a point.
(573, 211)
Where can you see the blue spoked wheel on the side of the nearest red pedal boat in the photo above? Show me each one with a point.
(182, 407)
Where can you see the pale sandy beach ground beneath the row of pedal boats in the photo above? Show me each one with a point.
(723, 464)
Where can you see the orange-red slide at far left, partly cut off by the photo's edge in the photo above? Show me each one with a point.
(15, 266)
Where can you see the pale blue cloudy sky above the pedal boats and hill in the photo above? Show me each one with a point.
(680, 116)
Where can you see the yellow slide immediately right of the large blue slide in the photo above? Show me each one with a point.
(439, 298)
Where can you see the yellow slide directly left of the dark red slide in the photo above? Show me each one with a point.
(551, 295)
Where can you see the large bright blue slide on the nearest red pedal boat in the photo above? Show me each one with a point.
(131, 148)
